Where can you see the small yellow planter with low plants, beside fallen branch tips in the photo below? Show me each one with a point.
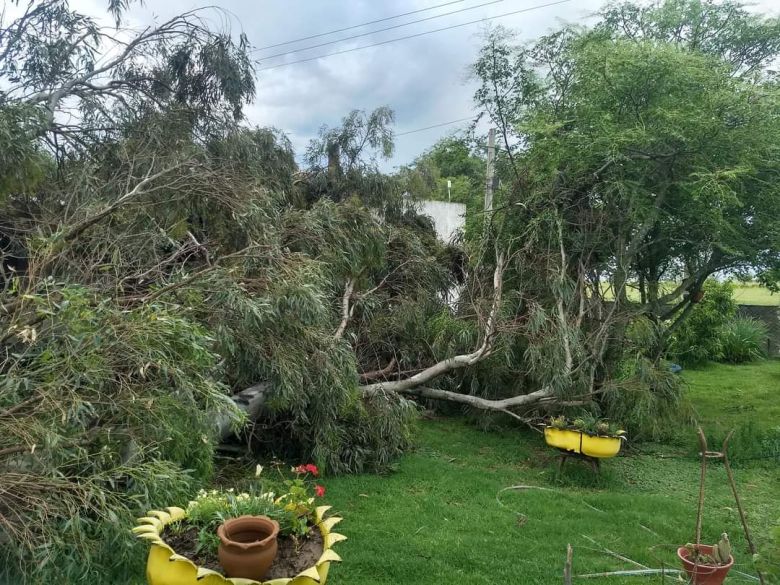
(586, 435)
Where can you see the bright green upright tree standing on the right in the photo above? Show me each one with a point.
(642, 151)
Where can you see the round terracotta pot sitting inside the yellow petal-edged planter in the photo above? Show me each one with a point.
(247, 546)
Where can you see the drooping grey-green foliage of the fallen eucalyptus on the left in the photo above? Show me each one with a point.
(158, 257)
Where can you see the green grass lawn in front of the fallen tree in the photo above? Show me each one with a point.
(441, 517)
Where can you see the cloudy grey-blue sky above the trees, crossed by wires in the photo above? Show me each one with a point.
(424, 79)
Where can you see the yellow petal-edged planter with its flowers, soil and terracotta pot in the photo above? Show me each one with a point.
(229, 538)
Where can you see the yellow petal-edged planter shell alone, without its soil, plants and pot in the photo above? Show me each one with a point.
(165, 567)
